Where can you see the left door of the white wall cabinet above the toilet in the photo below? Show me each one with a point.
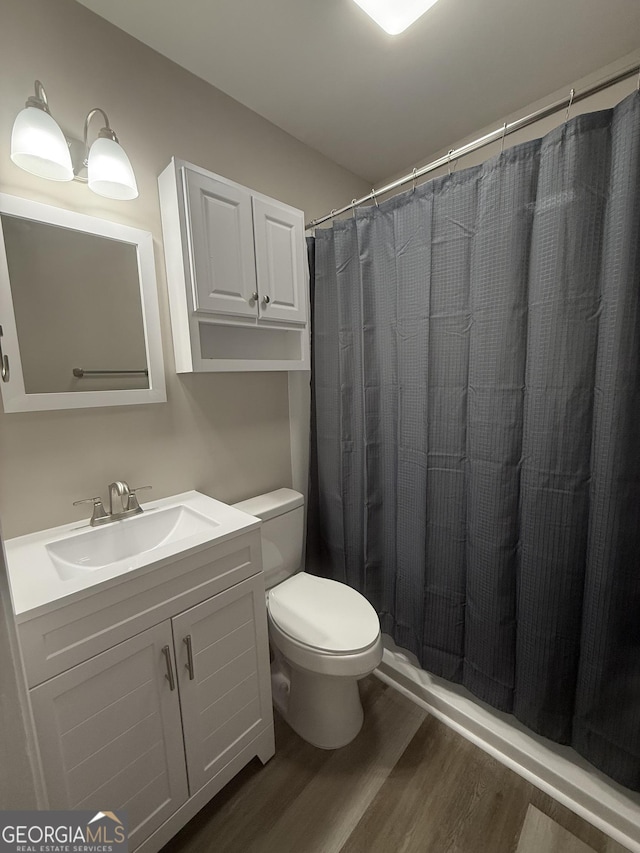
(221, 242)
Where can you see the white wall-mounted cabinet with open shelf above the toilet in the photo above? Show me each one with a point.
(237, 274)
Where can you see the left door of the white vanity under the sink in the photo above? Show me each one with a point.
(110, 735)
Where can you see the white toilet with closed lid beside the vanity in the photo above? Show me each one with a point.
(324, 635)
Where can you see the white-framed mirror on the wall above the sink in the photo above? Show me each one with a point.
(78, 311)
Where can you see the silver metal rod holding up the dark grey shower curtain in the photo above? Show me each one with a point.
(493, 136)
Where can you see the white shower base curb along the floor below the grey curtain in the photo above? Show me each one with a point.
(557, 770)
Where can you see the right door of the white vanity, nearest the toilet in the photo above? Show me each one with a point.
(226, 693)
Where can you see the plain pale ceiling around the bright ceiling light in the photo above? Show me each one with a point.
(377, 104)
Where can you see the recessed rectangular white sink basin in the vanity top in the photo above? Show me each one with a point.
(99, 547)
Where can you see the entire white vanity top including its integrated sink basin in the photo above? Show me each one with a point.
(50, 568)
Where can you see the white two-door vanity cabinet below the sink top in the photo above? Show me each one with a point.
(172, 694)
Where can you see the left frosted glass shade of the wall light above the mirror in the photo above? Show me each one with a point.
(38, 146)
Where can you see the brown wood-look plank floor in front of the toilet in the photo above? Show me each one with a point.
(407, 784)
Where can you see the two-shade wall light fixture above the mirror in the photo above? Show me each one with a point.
(39, 146)
